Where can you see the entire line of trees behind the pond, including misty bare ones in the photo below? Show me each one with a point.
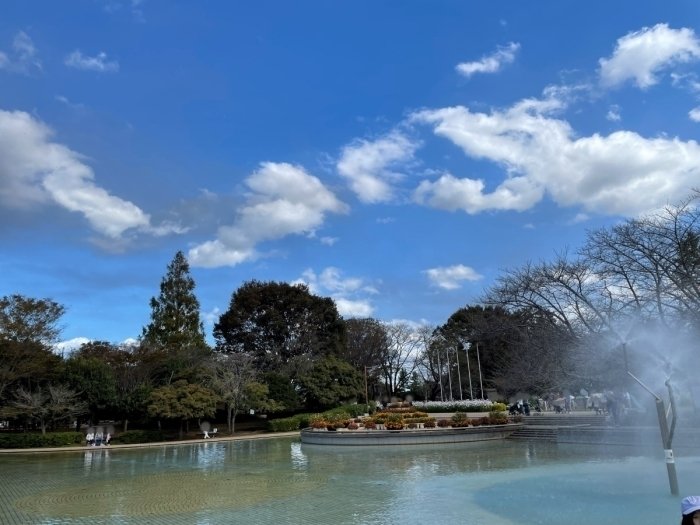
(628, 299)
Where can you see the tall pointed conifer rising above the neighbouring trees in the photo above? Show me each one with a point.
(175, 322)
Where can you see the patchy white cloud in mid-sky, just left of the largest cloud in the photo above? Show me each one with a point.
(368, 165)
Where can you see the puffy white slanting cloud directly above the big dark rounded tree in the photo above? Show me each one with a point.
(284, 200)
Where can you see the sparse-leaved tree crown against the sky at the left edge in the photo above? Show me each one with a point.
(25, 320)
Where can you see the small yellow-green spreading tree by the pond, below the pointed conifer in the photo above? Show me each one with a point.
(182, 401)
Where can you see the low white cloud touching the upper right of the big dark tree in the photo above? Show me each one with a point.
(345, 292)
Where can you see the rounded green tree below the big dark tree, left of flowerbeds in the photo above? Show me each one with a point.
(330, 382)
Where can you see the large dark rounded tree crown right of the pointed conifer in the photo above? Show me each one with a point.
(283, 327)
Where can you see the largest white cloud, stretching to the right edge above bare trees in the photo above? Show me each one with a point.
(621, 173)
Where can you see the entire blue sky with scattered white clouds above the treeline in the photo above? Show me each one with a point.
(394, 155)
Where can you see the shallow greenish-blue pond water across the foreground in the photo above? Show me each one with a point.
(280, 480)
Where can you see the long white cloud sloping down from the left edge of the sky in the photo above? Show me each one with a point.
(35, 171)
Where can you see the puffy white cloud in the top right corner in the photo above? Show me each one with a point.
(641, 55)
